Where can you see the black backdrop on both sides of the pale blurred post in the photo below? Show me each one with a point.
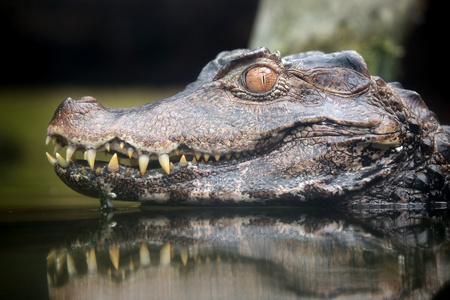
(168, 42)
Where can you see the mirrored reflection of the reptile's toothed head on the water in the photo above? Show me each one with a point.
(253, 254)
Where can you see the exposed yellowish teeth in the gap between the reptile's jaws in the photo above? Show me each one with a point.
(118, 156)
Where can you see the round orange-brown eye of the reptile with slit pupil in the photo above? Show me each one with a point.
(260, 79)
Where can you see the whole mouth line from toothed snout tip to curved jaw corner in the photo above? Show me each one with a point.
(120, 156)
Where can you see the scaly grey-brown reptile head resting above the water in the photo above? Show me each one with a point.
(320, 129)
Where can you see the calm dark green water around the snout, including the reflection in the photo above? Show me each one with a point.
(55, 243)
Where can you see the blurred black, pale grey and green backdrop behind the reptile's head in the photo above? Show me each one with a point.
(126, 53)
